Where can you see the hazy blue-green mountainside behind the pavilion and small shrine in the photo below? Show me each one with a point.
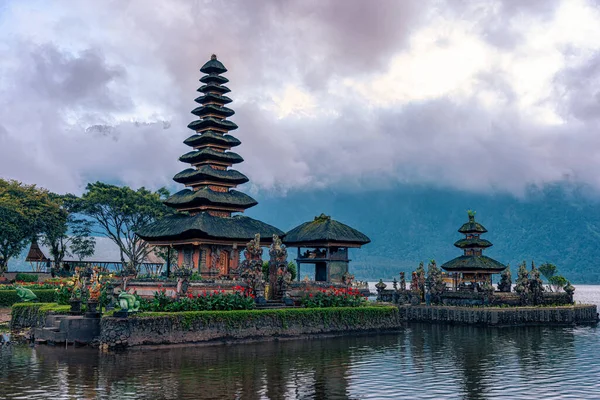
(408, 224)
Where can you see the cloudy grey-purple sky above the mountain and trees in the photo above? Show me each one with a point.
(476, 95)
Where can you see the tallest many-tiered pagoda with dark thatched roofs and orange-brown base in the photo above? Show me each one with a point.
(204, 230)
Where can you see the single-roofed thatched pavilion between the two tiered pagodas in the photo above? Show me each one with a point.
(324, 243)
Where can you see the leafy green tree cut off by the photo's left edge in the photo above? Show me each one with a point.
(25, 211)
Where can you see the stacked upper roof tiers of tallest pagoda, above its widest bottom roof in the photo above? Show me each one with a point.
(210, 180)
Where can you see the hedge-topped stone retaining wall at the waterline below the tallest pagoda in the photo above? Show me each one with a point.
(197, 327)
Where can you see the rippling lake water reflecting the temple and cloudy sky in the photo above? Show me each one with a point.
(419, 362)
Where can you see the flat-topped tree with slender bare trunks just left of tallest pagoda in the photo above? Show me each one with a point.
(121, 211)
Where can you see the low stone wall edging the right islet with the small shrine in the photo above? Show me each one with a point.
(499, 316)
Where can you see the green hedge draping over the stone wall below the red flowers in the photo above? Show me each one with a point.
(351, 316)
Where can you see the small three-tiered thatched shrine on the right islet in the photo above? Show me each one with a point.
(472, 267)
